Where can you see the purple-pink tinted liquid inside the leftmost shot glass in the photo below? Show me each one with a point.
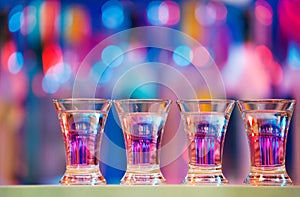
(82, 134)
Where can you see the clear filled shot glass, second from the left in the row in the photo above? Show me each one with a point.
(142, 122)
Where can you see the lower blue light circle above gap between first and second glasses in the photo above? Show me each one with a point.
(112, 56)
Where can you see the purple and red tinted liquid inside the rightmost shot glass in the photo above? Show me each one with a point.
(267, 134)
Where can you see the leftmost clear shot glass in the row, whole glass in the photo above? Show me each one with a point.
(82, 123)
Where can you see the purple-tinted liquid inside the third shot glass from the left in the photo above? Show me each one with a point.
(206, 133)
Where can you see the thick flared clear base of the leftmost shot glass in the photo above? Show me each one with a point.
(83, 176)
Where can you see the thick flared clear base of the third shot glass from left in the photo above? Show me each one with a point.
(205, 176)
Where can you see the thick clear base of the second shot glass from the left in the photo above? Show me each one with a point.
(143, 179)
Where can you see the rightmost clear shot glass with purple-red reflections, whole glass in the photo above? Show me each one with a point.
(267, 123)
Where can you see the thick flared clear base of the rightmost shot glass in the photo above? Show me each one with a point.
(268, 177)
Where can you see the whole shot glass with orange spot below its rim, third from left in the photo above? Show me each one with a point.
(205, 123)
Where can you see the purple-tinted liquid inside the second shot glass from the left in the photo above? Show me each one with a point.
(142, 133)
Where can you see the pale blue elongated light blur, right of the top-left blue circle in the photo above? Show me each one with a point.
(29, 21)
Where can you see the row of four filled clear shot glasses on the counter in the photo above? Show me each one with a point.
(205, 122)
